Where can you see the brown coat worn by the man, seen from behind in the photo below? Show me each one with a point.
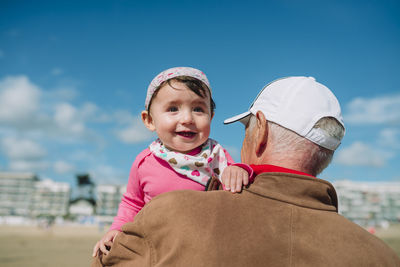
(280, 220)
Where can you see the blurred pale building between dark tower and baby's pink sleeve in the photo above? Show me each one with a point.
(107, 201)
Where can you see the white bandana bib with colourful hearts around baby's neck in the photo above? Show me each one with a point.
(209, 162)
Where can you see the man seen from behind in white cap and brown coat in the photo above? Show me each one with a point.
(287, 217)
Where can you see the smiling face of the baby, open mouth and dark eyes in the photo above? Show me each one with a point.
(180, 117)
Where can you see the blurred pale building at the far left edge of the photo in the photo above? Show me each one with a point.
(16, 193)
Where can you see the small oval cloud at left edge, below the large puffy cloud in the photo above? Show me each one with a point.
(24, 149)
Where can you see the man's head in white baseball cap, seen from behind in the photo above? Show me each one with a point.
(294, 122)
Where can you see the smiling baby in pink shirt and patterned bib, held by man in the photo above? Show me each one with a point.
(179, 107)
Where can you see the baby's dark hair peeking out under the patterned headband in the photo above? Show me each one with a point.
(195, 85)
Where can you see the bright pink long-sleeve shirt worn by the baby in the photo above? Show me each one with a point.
(149, 177)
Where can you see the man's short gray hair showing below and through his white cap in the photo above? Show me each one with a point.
(287, 143)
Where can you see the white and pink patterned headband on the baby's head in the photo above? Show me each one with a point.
(172, 73)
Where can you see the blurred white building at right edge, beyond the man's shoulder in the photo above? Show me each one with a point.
(369, 203)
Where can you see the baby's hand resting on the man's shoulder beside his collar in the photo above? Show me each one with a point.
(233, 178)
